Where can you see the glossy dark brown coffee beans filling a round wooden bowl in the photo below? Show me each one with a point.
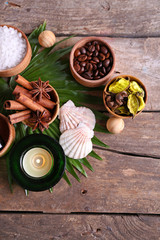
(93, 61)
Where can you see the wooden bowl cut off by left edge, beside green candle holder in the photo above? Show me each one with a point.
(7, 133)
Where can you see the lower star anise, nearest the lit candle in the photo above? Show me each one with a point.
(39, 120)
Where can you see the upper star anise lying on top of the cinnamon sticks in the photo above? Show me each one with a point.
(40, 89)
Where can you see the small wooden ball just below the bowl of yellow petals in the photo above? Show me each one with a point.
(115, 125)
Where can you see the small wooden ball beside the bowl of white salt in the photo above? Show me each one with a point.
(46, 39)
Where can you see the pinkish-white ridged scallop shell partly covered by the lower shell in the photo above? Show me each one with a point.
(70, 116)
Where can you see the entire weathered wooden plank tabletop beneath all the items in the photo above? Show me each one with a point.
(121, 199)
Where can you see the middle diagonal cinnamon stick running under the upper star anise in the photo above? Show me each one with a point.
(45, 102)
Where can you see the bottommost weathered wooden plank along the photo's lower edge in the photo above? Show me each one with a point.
(79, 227)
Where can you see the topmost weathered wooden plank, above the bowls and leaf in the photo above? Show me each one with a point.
(105, 17)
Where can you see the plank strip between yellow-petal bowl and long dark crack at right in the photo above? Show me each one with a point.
(140, 136)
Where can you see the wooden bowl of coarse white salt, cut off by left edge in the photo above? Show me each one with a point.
(15, 51)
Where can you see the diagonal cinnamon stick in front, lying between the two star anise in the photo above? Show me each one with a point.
(29, 103)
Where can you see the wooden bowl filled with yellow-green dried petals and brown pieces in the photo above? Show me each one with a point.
(125, 96)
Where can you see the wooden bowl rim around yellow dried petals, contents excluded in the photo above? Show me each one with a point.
(132, 78)
